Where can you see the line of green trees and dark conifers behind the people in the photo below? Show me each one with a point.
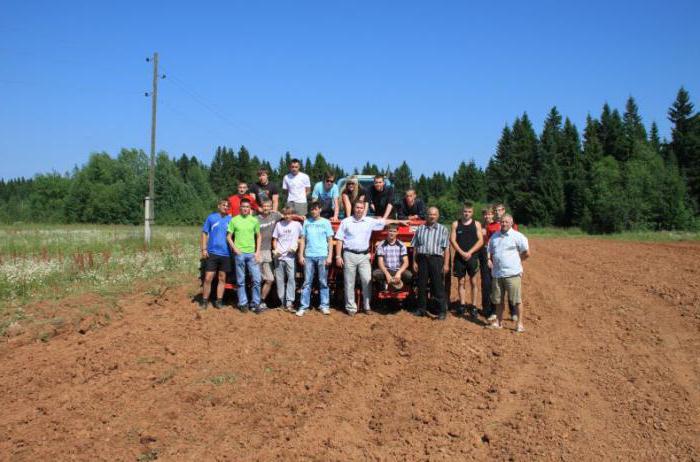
(617, 176)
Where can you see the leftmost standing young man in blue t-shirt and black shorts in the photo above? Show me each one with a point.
(216, 253)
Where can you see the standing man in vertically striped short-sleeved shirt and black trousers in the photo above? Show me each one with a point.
(431, 262)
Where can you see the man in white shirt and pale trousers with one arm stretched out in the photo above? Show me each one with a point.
(352, 254)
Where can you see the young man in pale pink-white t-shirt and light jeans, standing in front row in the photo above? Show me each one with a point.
(285, 242)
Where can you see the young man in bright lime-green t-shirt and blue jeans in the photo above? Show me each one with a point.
(243, 237)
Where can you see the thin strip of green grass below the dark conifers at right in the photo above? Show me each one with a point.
(640, 236)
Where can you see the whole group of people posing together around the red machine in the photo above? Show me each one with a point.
(266, 245)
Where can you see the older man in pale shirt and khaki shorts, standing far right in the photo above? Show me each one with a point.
(507, 248)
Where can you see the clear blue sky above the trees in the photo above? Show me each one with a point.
(432, 83)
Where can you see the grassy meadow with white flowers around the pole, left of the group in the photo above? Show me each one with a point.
(41, 262)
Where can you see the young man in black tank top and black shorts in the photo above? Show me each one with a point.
(466, 239)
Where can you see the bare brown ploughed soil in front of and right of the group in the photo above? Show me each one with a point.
(608, 369)
